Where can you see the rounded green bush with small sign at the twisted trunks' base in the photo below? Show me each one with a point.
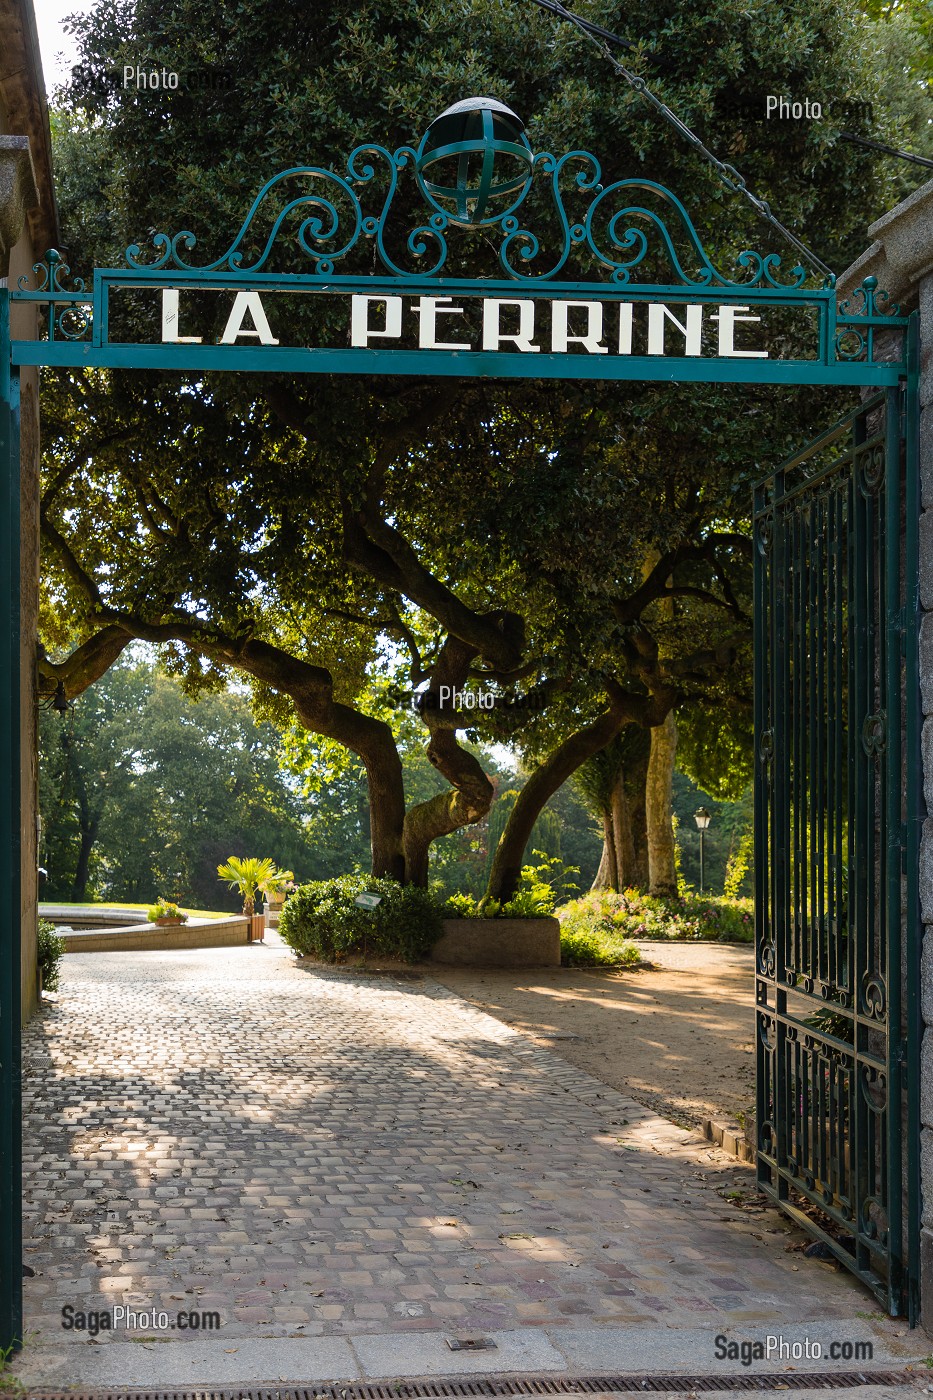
(322, 920)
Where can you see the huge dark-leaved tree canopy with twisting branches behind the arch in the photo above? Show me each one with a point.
(579, 548)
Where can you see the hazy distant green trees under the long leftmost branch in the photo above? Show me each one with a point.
(145, 790)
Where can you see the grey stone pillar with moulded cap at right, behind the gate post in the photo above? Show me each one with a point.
(901, 258)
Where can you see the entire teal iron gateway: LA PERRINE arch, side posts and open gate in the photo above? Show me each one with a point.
(585, 281)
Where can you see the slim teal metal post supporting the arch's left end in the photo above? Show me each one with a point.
(11, 842)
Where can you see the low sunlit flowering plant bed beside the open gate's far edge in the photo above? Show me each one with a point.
(634, 915)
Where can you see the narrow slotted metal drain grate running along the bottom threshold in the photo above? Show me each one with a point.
(508, 1387)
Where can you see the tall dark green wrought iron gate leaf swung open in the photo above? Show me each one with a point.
(837, 734)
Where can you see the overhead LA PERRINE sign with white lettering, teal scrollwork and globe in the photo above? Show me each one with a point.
(529, 318)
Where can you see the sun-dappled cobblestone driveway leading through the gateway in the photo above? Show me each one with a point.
(320, 1153)
